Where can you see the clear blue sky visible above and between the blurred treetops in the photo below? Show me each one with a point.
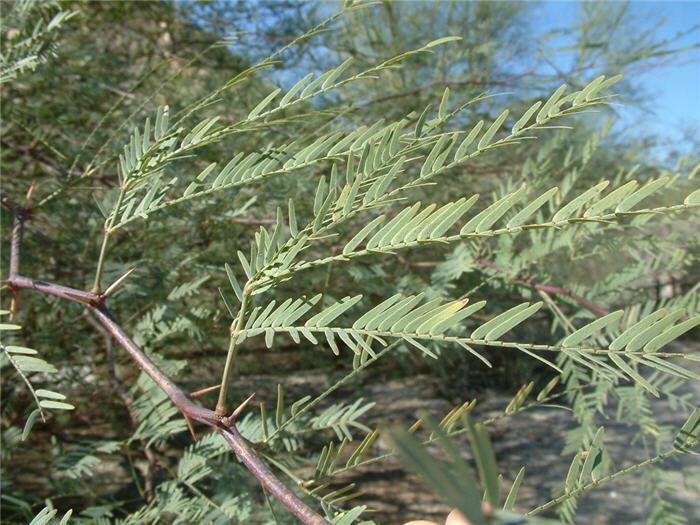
(673, 102)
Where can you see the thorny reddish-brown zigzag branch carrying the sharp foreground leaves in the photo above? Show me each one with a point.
(226, 426)
